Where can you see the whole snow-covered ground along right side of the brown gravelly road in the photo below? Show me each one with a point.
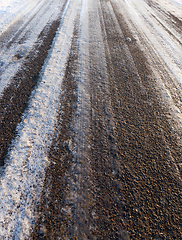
(159, 36)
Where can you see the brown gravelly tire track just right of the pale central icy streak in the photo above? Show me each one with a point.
(108, 199)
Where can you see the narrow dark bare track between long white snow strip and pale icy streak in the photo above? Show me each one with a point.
(52, 220)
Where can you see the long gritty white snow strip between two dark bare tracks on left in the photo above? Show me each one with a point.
(21, 184)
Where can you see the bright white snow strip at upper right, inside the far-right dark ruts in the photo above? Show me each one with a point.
(165, 45)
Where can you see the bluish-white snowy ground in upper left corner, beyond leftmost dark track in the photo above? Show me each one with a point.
(23, 22)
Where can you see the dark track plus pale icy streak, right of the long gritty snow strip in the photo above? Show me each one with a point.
(65, 210)
